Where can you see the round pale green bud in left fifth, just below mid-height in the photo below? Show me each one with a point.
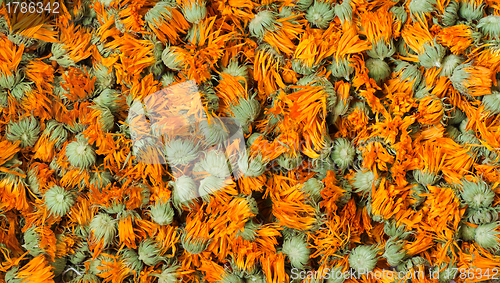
(80, 154)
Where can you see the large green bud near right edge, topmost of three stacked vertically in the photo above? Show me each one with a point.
(478, 194)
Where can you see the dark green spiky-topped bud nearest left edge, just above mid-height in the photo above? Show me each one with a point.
(25, 130)
